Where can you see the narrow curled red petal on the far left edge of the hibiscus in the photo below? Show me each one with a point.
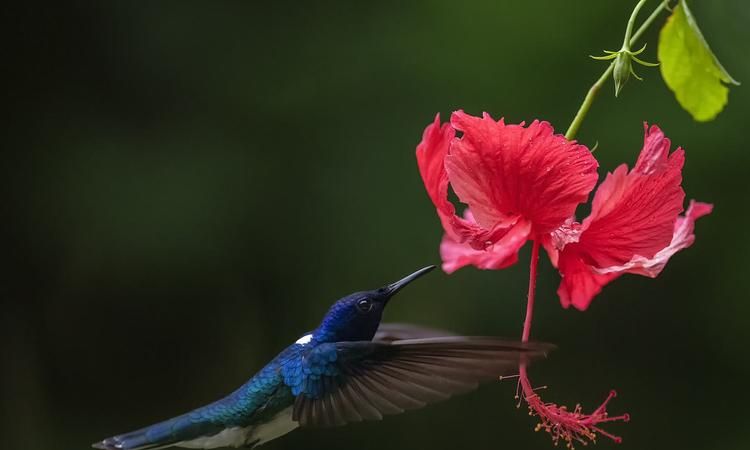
(431, 154)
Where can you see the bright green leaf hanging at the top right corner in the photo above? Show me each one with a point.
(690, 68)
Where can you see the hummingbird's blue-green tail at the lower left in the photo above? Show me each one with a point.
(161, 435)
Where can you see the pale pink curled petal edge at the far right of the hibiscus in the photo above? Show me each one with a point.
(682, 238)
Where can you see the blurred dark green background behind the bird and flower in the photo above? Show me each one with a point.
(190, 185)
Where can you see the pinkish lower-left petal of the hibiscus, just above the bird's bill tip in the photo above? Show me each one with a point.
(501, 254)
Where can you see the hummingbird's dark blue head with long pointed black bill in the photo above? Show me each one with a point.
(357, 316)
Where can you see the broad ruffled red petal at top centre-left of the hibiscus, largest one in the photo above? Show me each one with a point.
(505, 171)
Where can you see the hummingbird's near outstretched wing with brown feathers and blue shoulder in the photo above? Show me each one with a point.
(356, 381)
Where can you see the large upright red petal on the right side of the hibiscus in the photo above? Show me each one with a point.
(633, 213)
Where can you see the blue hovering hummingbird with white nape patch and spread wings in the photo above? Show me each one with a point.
(351, 368)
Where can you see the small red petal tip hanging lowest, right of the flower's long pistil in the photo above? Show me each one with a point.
(580, 283)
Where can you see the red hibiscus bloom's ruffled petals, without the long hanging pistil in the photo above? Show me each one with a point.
(522, 183)
